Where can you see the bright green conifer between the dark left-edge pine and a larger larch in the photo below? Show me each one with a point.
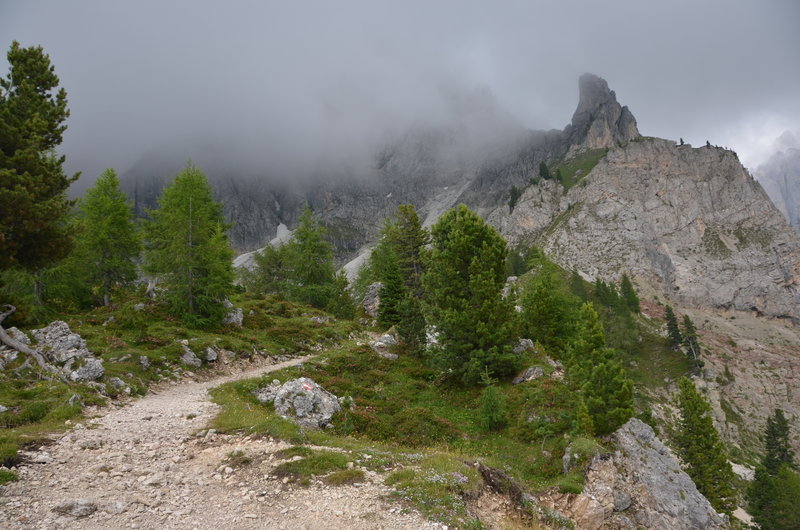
(108, 241)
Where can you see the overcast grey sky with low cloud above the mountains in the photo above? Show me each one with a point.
(294, 79)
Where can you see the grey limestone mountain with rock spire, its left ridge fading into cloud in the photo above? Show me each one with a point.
(690, 221)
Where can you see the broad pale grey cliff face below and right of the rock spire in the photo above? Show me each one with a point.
(691, 221)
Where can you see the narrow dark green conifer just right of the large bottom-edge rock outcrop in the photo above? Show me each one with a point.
(702, 450)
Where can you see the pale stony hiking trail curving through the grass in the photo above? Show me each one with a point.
(143, 465)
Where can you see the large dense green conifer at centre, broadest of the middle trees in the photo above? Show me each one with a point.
(463, 284)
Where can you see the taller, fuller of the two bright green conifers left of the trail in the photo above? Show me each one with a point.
(186, 247)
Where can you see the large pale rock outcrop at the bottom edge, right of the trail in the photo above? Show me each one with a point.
(640, 485)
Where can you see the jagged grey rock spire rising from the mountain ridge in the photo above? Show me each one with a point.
(599, 121)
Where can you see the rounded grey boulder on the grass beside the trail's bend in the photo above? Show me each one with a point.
(305, 402)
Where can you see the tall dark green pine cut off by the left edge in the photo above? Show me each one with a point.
(34, 231)
